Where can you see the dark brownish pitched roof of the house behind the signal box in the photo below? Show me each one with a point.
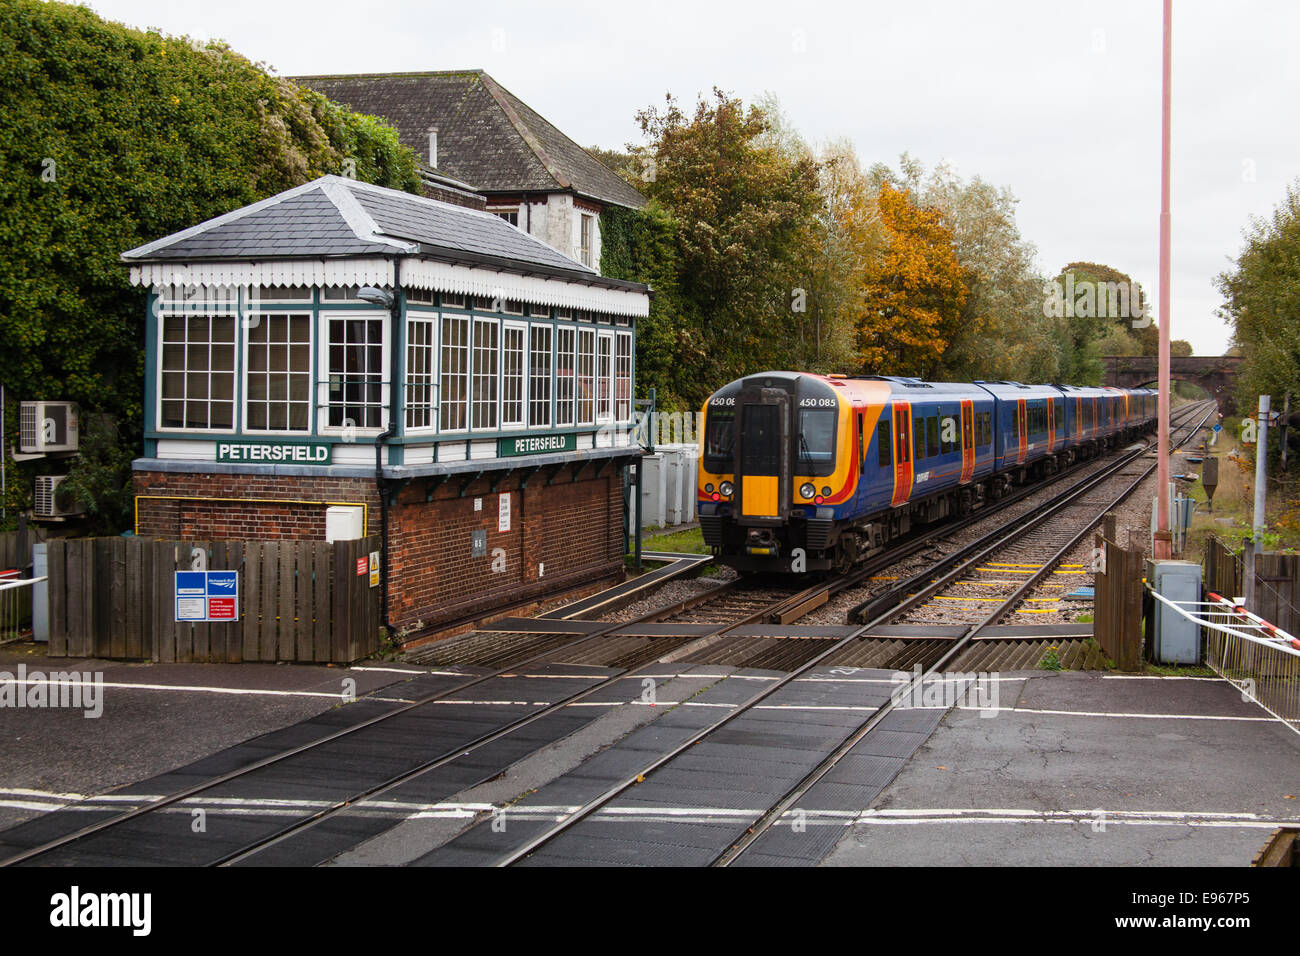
(487, 136)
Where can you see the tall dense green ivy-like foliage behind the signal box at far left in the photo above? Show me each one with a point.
(112, 137)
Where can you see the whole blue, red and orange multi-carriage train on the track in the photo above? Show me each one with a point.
(803, 473)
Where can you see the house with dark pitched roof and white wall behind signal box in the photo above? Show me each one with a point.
(473, 133)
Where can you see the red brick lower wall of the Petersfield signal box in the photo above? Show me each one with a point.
(561, 535)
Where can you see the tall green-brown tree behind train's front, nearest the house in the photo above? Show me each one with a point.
(744, 215)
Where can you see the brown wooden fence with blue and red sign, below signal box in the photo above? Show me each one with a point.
(115, 598)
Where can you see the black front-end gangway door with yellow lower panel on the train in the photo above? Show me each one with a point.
(764, 456)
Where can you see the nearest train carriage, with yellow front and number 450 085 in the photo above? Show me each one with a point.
(826, 470)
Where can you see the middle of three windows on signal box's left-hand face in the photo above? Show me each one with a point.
(278, 379)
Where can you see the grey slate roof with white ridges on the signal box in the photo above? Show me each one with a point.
(333, 217)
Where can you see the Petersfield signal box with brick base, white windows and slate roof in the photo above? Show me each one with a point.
(405, 367)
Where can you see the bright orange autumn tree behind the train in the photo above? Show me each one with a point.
(913, 292)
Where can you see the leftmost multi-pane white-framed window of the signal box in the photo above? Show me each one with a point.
(198, 367)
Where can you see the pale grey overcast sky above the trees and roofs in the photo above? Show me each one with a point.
(1060, 102)
